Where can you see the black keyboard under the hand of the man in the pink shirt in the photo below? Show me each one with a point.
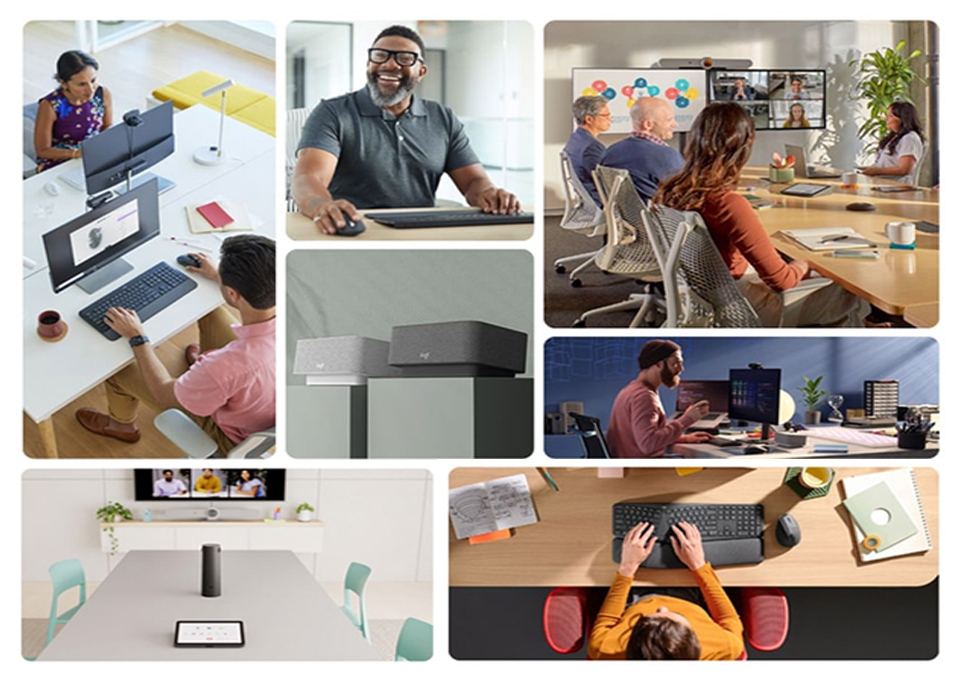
(148, 294)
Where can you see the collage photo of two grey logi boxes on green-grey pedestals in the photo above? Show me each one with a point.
(409, 354)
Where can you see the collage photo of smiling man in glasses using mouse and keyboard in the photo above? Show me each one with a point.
(414, 131)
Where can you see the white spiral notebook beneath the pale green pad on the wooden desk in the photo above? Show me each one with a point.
(903, 484)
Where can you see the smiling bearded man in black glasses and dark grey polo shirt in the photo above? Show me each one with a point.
(382, 146)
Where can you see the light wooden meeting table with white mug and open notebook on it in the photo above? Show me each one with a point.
(900, 282)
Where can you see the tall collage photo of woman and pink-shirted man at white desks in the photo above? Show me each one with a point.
(149, 259)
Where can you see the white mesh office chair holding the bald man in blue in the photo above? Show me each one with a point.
(628, 250)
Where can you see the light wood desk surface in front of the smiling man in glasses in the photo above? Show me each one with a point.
(299, 227)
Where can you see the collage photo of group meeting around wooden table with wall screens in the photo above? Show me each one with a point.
(771, 183)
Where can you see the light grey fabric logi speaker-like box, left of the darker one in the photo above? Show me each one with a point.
(342, 360)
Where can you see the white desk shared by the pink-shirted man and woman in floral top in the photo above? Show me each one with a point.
(57, 373)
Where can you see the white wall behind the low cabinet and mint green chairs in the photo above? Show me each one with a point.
(379, 517)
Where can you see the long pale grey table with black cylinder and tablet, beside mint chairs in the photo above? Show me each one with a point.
(286, 614)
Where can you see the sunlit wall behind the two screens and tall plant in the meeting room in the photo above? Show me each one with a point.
(771, 45)
